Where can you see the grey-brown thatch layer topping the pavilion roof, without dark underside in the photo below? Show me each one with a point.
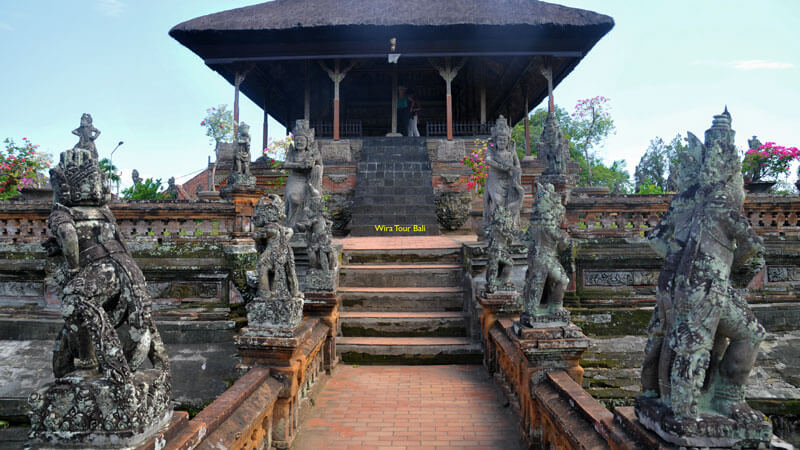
(285, 14)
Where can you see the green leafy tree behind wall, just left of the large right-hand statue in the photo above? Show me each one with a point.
(658, 166)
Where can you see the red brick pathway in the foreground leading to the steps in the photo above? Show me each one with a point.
(409, 407)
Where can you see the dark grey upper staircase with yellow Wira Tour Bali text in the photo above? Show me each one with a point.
(394, 192)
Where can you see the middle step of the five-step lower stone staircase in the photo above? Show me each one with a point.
(405, 299)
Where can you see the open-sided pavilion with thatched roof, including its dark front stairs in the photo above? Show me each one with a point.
(339, 64)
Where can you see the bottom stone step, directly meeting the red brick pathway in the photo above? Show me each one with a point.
(408, 350)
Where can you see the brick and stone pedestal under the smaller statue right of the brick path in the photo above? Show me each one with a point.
(552, 347)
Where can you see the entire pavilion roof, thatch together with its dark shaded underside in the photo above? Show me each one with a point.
(279, 43)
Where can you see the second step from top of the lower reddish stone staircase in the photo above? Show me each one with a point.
(399, 275)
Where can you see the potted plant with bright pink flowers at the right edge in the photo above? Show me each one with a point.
(765, 164)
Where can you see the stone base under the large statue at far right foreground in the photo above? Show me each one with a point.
(709, 431)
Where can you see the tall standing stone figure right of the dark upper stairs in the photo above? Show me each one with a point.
(504, 181)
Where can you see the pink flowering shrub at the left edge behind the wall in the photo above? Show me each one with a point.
(21, 166)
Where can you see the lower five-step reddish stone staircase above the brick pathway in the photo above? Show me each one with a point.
(404, 307)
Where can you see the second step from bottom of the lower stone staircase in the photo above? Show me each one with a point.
(407, 324)
